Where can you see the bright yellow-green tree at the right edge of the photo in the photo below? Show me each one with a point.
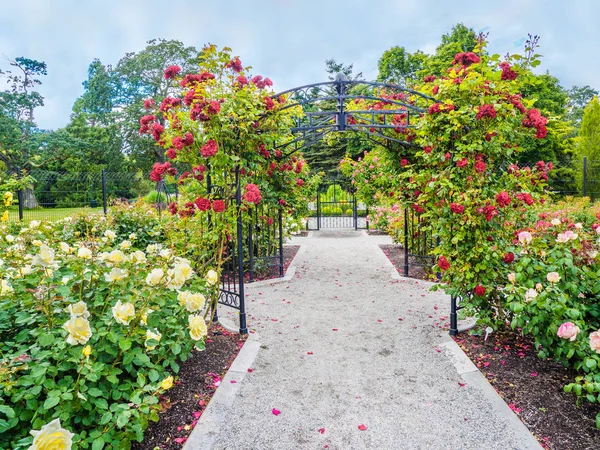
(588, 142)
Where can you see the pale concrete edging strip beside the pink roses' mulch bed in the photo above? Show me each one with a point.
(473, 376)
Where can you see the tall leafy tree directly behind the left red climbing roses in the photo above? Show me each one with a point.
(139, 77)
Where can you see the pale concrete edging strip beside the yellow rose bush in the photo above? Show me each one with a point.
(207, 429)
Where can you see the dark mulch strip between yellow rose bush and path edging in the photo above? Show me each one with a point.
(197, 381)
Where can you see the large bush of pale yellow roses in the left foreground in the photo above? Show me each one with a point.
(94, 321)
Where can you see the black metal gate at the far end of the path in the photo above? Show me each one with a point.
(336, 208)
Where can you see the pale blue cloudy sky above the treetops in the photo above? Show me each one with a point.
(286, 40)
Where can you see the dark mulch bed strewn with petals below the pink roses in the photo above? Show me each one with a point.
(533, 389)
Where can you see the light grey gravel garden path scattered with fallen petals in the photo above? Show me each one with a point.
(335, 355)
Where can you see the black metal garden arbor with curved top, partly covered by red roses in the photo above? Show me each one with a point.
(322, 109)
